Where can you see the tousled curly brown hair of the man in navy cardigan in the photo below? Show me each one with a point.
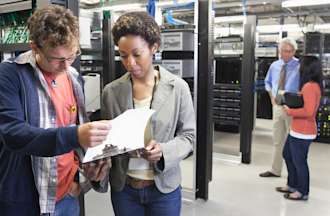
(54, 26)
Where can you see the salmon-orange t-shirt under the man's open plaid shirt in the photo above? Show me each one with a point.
(61, 92)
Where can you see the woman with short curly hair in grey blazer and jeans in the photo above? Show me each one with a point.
(148, 184)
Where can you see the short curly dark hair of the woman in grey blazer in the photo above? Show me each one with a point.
(139, 24)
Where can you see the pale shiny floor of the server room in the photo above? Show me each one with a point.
(236, 189)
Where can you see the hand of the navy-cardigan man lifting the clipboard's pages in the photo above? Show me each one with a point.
(93, 133)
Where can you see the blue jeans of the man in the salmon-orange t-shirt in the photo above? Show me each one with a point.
(67, 206)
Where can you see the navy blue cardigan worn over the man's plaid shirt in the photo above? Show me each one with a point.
(21, 137)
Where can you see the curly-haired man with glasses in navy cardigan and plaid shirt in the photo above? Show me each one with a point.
(41, 104)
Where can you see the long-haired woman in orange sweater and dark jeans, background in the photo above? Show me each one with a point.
(303, 130)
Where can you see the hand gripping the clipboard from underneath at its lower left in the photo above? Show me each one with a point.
(97, 170)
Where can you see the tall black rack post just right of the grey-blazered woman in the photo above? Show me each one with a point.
(204, 99)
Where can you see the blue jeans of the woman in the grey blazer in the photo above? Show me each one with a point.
(148, 201)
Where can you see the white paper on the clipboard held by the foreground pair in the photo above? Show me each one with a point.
(126, 134)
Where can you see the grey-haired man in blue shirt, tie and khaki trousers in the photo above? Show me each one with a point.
(283, 75)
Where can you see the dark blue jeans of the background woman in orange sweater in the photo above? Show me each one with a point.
(295, 153)
